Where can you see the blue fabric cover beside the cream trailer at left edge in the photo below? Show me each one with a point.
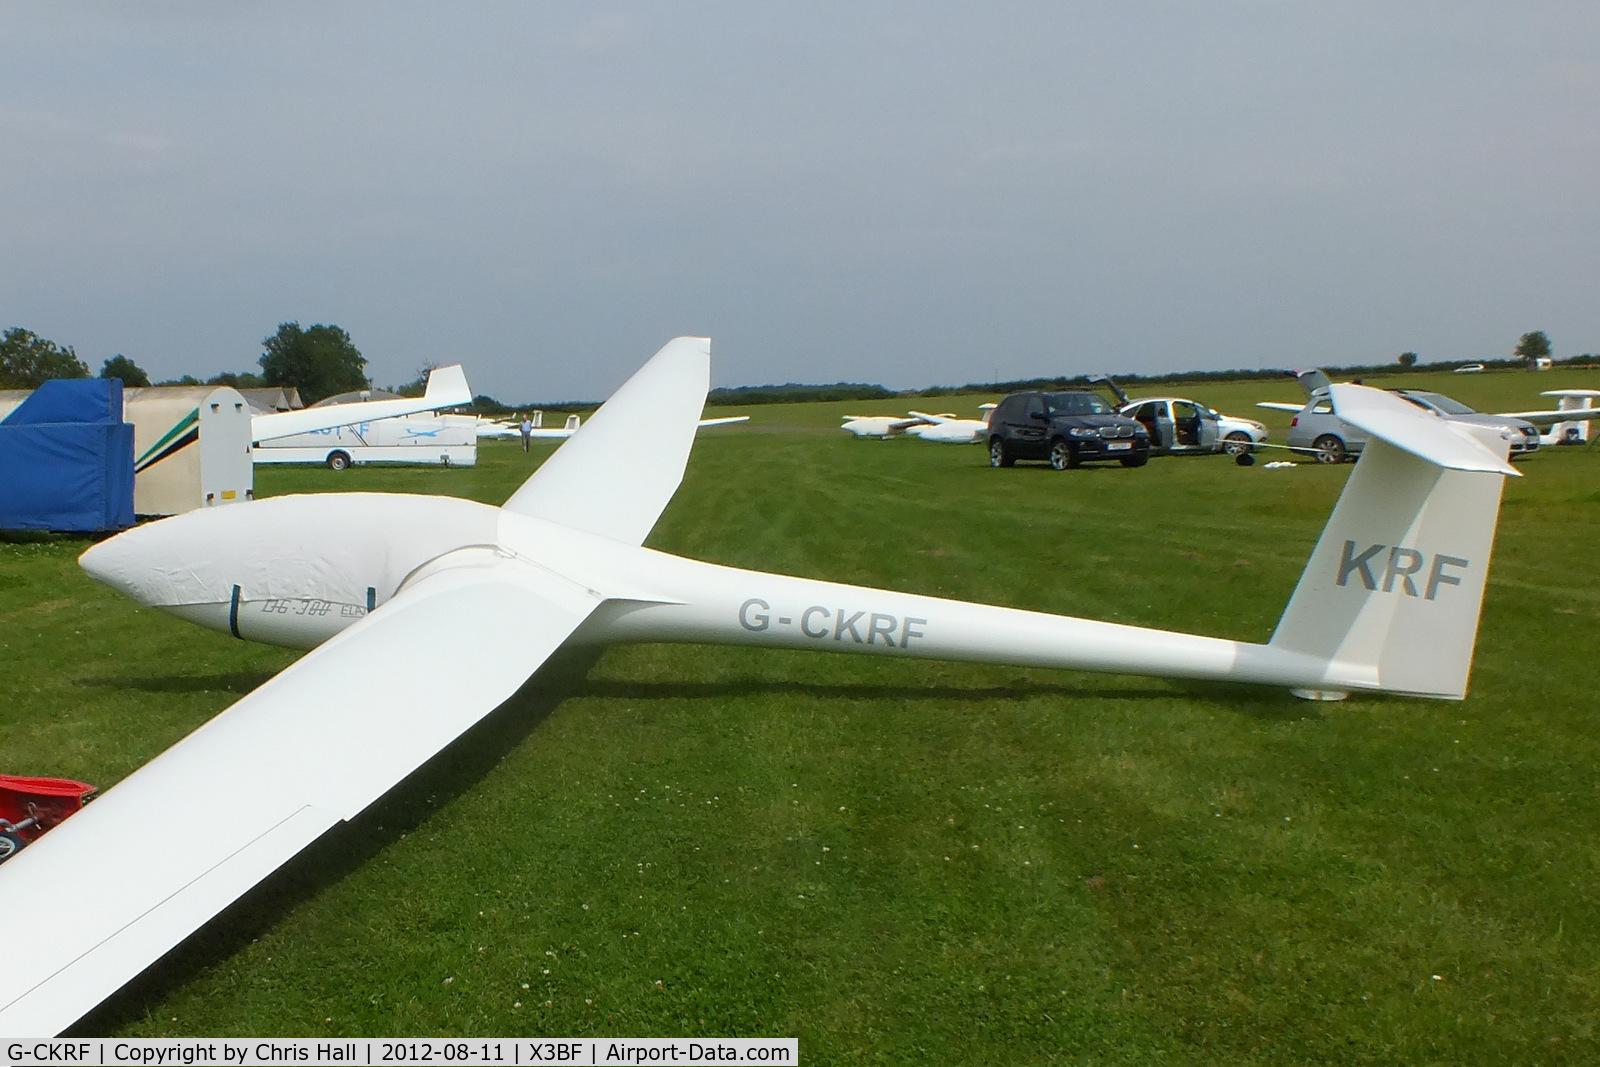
(66, 460)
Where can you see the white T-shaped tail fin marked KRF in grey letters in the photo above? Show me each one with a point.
(1391, 596)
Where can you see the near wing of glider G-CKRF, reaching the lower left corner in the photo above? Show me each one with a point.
(127, 879)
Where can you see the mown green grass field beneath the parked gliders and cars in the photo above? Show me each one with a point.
(897, 860)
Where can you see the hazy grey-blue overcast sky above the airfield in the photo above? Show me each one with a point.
(892, 193)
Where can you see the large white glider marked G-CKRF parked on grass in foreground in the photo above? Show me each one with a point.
(1390, 602)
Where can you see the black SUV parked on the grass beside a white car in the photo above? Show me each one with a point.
(1065, 428)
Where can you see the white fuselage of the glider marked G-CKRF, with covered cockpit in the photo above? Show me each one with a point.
(247, 573)
